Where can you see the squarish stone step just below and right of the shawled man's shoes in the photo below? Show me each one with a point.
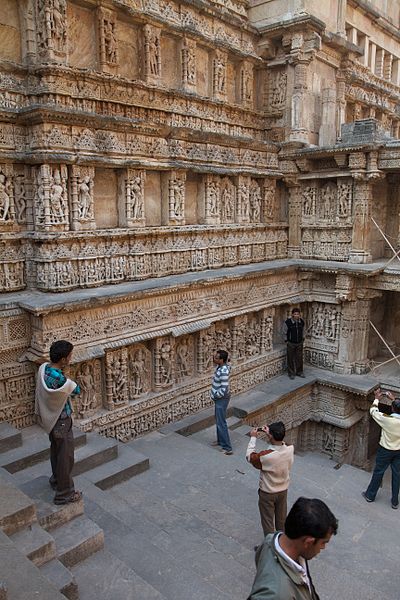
(77, 540)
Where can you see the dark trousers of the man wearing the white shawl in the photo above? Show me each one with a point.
(62, 457)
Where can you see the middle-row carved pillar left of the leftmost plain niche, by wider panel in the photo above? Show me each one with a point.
(82, 199)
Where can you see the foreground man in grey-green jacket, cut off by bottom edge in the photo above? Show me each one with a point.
(282, 567)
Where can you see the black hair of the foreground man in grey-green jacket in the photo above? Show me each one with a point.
(310, 517)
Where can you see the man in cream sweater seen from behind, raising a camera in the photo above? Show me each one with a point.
(274, 465)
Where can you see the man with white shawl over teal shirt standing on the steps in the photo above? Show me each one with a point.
(54, 410)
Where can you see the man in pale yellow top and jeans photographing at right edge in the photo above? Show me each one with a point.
(388, 452)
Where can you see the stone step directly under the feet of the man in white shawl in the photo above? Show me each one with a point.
(50, 515)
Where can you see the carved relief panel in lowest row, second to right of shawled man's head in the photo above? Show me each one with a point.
(116, 378)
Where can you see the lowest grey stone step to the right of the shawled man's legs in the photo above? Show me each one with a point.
(127, 464)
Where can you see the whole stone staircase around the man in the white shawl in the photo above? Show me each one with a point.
(53, 538)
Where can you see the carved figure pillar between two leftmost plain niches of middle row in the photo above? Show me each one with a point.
(131, 198)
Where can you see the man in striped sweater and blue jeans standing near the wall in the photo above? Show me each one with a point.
(220, 394)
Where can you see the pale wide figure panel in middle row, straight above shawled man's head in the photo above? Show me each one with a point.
(51, 198)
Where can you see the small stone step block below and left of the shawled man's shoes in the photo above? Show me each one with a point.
(35, 543)
